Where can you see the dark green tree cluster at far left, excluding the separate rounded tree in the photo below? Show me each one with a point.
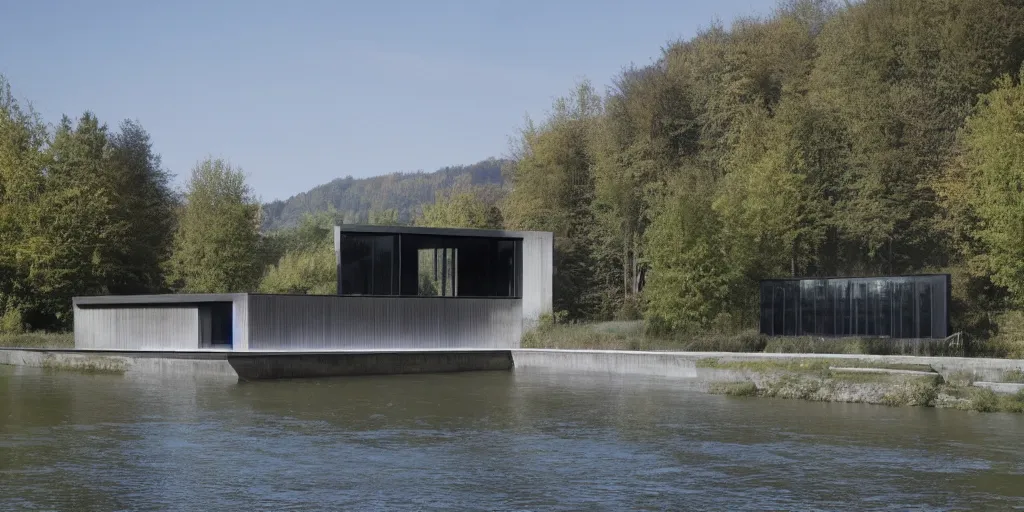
(83, 210)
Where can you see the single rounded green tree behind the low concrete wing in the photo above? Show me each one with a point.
(218, 244)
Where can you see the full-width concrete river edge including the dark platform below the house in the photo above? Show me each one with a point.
(966, 383)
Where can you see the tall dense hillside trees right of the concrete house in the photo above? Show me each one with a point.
(880, 138)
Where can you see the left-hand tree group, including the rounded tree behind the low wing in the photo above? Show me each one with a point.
(90, 210)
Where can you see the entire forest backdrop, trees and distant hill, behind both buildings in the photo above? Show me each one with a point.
(876, 138)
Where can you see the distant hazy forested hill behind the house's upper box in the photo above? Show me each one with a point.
(404, 192)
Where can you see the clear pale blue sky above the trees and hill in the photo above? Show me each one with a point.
(298, 94)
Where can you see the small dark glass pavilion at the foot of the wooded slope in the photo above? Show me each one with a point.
(911, 307)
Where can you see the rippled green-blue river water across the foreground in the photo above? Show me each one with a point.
(484, 442)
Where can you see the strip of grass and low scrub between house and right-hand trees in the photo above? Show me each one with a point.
(631, 336)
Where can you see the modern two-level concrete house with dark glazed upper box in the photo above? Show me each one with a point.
(399, 289)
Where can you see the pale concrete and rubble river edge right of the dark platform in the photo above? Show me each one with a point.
(965, 383)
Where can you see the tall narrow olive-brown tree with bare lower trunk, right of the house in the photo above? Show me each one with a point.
(648, 130)
